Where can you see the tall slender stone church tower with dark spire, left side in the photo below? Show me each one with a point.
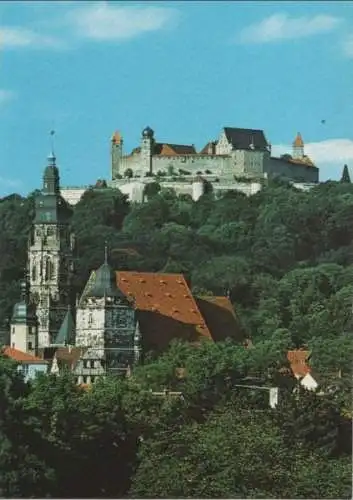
(50, 261)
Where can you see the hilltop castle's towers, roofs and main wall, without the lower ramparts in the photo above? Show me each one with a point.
(238, 152)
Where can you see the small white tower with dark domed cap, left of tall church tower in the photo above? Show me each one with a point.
(24, 324)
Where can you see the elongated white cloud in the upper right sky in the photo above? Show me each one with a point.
(282, 27)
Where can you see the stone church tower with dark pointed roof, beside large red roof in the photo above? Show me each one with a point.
(106, 321)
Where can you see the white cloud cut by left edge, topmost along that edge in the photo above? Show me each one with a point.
(17, 37)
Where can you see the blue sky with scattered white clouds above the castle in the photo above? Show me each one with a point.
(186, 69)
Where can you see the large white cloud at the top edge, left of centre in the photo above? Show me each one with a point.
(100, 21)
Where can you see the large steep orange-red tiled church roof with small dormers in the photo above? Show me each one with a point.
(165, 305)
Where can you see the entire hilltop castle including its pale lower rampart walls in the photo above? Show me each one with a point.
(239, 160)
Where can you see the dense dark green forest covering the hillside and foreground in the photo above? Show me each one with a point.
(286, 259)
